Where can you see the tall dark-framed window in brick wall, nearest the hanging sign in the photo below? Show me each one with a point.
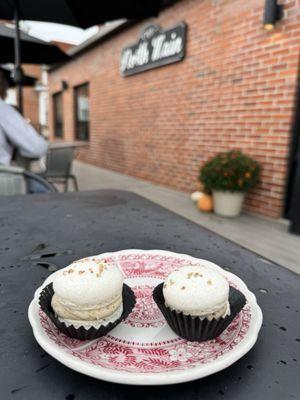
(82, 108)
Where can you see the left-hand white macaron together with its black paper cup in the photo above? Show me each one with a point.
(87, 299)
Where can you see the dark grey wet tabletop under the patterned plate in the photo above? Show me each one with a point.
(59, 228)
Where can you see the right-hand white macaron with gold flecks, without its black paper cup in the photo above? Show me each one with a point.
(198, 291)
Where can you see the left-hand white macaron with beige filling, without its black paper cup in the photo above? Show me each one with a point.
(88, 293)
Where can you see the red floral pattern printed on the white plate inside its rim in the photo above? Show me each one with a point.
(128, 348)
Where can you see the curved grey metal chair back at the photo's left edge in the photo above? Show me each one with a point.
(15, 180)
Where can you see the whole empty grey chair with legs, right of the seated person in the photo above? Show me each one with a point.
(59, 165)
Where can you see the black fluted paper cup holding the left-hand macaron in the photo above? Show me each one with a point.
(82, 333)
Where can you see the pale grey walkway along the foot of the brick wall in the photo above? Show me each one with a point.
(267, 237)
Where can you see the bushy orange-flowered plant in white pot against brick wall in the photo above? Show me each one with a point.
(229, 176)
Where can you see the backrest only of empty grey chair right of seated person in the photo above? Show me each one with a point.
(59, 162)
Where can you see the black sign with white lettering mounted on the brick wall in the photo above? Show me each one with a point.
(155, 48)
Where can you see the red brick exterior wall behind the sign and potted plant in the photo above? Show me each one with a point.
(235, 89)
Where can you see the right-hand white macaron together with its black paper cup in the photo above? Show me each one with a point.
(198, 302)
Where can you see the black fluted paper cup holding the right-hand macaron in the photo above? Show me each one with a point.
(193, 328)
